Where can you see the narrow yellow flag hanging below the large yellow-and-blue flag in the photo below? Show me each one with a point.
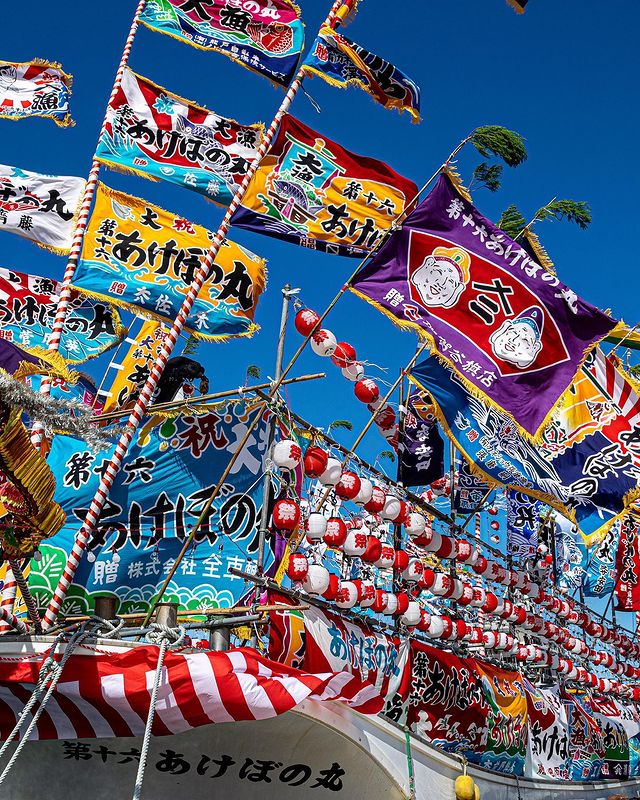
(135, 368)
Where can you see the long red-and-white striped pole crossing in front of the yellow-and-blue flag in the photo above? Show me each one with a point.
(170, 341)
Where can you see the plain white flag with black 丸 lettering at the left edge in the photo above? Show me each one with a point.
(42, 208)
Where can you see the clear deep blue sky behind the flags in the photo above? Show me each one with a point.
(564, 75)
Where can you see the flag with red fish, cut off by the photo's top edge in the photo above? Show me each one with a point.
(265, 36)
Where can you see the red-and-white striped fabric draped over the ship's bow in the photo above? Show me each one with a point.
(108, 695)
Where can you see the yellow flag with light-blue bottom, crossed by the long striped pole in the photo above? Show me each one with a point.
(141, 257)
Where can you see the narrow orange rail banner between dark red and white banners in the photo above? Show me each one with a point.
(507, 737)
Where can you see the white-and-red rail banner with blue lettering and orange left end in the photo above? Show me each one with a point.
(319, 641)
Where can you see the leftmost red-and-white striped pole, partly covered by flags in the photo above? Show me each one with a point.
(81, 225)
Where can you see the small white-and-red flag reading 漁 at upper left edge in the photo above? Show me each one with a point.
(35, 89)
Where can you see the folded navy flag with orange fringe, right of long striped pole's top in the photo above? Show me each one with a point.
(341, 62)
